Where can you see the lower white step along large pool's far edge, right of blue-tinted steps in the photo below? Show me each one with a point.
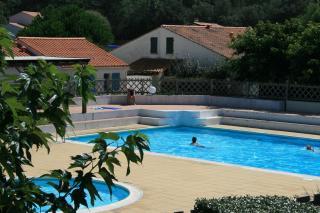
(272, 125)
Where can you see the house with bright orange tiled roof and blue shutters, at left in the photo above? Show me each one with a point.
(108, 66)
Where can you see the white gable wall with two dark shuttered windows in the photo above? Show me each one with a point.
(183, 48)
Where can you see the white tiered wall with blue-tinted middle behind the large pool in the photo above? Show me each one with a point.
(235, 117)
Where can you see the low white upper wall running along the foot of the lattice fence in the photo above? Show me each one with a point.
(226, 102)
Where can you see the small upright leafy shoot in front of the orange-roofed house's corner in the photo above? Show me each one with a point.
(84, 78)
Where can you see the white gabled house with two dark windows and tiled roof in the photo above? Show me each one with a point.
(207, 43)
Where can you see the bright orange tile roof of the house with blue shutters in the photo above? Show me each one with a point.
(71, 47)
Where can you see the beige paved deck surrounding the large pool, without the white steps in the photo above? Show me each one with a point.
(171, 184)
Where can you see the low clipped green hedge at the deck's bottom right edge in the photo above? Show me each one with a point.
(249, 204)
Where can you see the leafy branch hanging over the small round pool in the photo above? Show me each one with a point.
(101, 162)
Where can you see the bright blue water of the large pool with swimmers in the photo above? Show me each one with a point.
(280, 153)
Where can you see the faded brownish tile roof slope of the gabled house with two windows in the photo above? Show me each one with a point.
(213, 37)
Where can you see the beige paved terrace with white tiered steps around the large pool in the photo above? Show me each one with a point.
(170, 183)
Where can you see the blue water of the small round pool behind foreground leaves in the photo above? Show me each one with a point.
(118, 193)
